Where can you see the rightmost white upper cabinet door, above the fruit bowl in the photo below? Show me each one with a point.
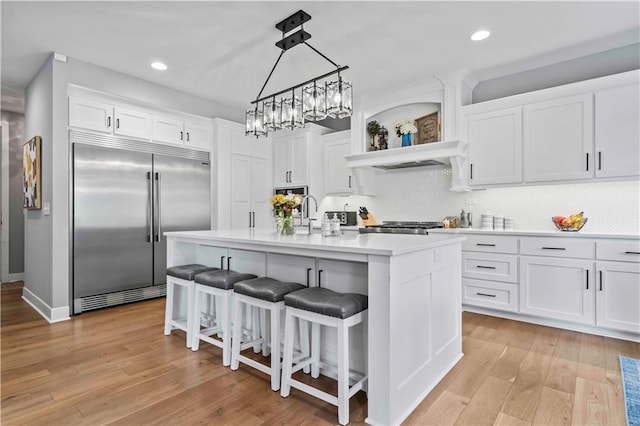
(617, 115)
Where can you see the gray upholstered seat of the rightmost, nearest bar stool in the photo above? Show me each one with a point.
(327, 302)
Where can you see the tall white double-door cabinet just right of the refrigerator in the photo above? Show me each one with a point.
(250, 193)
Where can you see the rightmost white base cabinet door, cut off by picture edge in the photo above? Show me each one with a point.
(618, 296)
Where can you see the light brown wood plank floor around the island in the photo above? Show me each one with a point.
(116, 366)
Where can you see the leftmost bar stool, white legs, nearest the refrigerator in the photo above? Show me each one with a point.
(181, 275)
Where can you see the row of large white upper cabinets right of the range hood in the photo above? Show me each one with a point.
(573, 133)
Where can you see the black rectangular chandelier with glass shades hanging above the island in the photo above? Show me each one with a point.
(311, 100)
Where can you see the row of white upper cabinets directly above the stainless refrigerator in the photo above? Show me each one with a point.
(126, 119)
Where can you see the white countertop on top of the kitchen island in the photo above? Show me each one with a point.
(378, 244)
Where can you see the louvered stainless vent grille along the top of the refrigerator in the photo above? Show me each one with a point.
(109, 141)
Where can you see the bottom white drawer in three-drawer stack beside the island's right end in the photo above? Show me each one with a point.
(494, 295)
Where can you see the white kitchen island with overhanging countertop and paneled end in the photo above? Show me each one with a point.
(413, 282)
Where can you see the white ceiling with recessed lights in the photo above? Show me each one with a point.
(225, 50)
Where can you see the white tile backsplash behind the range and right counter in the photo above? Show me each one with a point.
(423, 194)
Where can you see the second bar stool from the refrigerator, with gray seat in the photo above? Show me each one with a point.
(218, 284)
